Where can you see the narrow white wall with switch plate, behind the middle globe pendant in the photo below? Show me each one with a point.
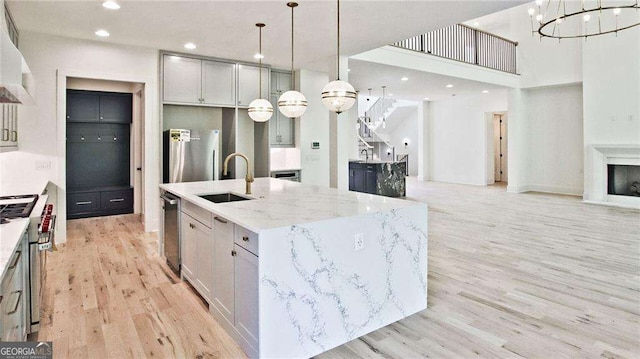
(314, 127)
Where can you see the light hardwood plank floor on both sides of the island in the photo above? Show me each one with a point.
(510, 275)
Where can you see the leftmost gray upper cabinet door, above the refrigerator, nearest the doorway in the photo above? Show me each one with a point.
(182, 79)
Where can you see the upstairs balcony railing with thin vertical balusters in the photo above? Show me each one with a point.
(462, 43)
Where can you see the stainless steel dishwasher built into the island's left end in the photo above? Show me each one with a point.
(171, 230)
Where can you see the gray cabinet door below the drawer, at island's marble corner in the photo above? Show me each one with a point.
(246, 290)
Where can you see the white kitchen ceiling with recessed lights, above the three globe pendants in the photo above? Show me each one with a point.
(226, 29)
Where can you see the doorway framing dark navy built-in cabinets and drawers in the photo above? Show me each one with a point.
(113, 185)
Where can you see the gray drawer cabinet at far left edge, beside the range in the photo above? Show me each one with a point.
(13, 296)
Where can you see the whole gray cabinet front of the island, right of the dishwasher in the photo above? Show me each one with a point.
(220, 261)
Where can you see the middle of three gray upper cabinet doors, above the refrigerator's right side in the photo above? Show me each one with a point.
(219, 83)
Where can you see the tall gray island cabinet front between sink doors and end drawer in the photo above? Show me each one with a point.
(223, 276)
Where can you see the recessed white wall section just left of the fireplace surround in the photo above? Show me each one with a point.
(554, 140)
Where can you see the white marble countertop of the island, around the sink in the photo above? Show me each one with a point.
(279, 203)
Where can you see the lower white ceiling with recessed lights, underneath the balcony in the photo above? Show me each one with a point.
(364, 75)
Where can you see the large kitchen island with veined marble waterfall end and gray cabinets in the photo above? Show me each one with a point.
(308, 268)
